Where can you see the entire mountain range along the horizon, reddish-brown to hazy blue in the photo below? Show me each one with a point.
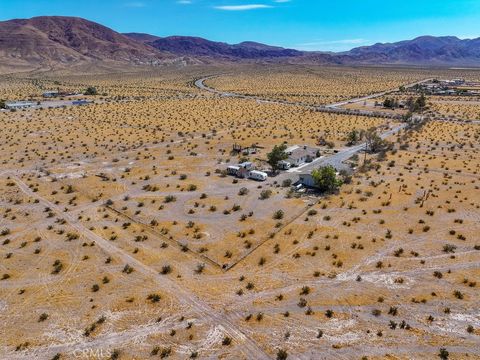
(55, 41)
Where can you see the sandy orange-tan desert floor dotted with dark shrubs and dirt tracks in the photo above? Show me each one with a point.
(122, 236)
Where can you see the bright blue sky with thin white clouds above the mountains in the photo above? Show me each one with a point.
(333, 25)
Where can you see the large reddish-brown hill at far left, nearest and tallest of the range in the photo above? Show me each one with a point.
(45, 41)
